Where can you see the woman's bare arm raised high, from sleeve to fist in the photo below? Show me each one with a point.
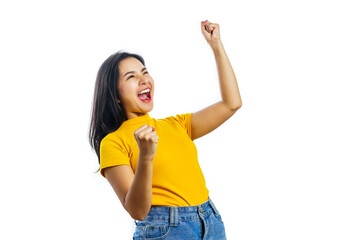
(211, 117)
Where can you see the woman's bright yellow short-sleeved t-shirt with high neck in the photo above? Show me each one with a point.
(177, 176)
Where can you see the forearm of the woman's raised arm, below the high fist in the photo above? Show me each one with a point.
(228, 85)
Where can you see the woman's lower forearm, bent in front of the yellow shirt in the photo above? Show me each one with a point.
(139, 197)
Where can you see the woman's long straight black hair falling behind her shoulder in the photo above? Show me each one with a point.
(107, 114)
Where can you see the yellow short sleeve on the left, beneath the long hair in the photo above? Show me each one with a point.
(112, 154)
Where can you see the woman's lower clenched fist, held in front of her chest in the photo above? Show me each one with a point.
(147, 140)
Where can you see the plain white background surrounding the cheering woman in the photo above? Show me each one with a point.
(285, 166)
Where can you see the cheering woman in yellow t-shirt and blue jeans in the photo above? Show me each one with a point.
(152, 163)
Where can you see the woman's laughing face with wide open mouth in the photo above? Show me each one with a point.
(134, 78)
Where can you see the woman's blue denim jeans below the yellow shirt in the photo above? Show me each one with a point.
(195, 222)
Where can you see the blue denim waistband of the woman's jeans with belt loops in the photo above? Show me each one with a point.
(174, 214)
